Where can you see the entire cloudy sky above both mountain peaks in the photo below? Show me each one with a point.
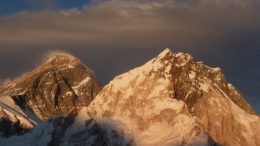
(113, 36)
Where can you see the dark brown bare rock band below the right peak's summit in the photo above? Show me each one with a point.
(192, 80)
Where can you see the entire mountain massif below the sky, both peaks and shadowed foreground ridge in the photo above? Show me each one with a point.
(171, 100)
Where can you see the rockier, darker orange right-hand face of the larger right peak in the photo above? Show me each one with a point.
(223, 111)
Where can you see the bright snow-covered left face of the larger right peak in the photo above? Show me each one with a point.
(142, 101)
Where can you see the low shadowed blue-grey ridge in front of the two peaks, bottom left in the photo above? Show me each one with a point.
(77, 129)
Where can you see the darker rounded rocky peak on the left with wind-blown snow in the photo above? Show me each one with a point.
(56, 87)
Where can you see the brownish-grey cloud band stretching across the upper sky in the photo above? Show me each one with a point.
(135, 24)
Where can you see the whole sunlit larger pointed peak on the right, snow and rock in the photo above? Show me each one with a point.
(174, 100)
